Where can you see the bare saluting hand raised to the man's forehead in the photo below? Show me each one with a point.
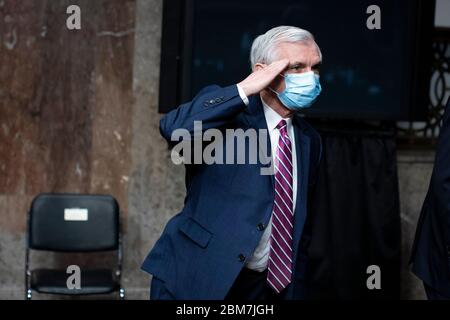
(259, 79)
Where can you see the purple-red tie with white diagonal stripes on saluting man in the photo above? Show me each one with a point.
(280, 257)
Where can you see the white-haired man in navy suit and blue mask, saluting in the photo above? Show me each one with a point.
(242, 234)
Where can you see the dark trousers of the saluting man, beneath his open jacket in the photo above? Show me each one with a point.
(252, 285)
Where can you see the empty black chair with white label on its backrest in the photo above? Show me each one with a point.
(74, 223)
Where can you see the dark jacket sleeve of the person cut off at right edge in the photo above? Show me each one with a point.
(441, 175)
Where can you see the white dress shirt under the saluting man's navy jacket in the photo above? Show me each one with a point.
(258, 261)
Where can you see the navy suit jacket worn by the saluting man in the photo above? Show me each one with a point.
(227, 206)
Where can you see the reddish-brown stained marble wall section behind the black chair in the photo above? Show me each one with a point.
(66, 112)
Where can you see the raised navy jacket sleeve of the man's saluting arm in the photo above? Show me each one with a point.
(213, 106)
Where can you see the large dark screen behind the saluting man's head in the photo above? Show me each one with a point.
(366, 74)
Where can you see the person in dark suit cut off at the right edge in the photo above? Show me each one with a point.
(431, 249)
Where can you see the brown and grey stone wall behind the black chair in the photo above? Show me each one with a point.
(78, 113)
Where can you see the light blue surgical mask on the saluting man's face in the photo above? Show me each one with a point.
(301, 90)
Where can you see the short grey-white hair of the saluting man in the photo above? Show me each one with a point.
(264, 46)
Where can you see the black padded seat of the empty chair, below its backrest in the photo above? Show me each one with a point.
(99, 281)
